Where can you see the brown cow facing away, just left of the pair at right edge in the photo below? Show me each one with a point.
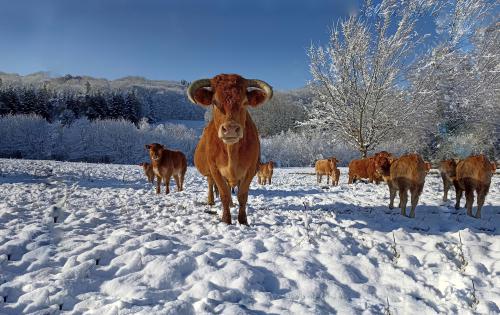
(406, 173)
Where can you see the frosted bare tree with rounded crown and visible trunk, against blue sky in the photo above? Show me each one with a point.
(357, 77)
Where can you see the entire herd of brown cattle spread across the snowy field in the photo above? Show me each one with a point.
(228, 155)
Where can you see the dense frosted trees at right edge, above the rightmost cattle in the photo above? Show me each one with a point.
(459, 80)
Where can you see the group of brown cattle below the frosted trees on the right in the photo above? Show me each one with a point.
(408, 172)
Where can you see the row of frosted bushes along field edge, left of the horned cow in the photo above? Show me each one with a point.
(110, 141)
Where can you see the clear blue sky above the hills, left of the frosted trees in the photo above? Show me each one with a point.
(168, 40)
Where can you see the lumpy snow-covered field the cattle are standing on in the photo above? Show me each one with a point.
(90, 238)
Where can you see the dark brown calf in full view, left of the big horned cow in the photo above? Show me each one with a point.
(165, 164)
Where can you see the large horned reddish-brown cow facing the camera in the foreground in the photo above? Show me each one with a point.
(229, 148)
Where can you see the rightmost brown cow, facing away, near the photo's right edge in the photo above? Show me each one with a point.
(473, 173)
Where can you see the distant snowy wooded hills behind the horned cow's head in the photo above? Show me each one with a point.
(160, 101)
